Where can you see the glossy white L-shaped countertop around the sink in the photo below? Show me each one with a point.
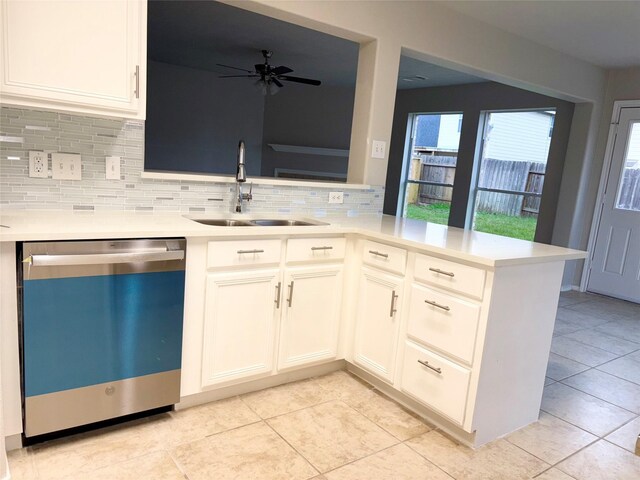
(475, 247)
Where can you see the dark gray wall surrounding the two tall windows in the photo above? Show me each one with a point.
(472, 100)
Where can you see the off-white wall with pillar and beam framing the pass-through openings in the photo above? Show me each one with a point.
(431, 32)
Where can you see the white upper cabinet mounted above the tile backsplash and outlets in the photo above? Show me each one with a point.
(82, 56)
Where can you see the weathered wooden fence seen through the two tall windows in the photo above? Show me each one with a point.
(496, 174)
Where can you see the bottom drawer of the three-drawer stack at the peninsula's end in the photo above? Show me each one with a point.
(438, 383)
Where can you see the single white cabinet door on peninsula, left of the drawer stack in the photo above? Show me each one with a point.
(376, 337)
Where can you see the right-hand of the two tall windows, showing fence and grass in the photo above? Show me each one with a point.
(511, 172)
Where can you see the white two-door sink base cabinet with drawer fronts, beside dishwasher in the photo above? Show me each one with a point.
(261, 316)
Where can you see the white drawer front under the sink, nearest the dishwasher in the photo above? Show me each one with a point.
(243, 252)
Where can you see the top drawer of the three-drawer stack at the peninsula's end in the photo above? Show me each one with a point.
(450, 275)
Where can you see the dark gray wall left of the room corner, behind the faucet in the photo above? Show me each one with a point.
(195, 121)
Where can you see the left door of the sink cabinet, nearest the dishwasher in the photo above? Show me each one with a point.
(239, 333)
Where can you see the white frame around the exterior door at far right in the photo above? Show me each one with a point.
(618, 105)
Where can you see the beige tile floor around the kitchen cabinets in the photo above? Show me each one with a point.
(336, 427)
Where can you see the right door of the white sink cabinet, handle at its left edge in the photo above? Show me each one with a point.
(311, 302)
